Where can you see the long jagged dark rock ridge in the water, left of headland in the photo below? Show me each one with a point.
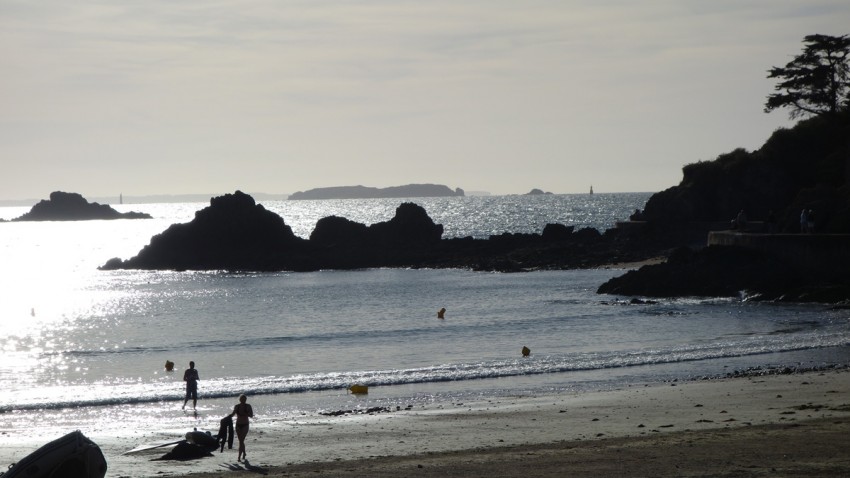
(234, 233)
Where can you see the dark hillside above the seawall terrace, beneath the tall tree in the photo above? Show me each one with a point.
(801, 167)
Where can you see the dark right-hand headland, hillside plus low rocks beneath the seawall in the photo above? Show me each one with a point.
(804, 167)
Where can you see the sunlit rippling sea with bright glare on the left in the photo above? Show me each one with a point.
(86, 349)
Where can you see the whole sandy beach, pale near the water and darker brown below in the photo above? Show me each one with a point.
(776, 425)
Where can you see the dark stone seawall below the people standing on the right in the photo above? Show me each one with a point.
(810, 251)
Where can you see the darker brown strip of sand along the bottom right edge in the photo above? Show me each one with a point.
(816, 447)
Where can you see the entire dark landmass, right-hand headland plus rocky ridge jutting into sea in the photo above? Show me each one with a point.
(804, 167)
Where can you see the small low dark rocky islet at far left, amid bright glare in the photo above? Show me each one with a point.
(64, 206)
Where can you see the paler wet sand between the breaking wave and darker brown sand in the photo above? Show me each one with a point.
(635, 411)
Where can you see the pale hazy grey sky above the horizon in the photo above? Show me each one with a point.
(171, 97)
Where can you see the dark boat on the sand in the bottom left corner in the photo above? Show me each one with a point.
(72, 455)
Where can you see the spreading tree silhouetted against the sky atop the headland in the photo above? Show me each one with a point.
(815, 82)
